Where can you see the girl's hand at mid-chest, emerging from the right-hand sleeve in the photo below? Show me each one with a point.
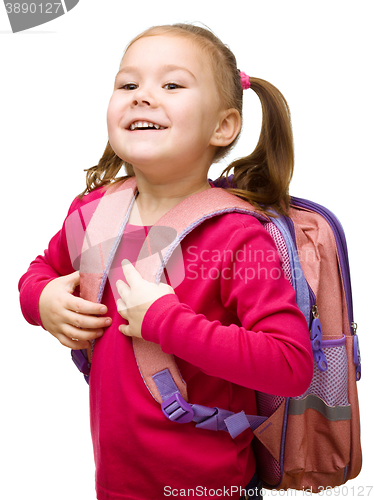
(136, 298)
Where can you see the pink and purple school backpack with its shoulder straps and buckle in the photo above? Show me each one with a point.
(308, 442)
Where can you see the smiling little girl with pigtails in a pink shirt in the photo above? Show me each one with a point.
(231, 323)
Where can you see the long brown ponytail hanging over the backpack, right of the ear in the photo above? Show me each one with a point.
(263, 177)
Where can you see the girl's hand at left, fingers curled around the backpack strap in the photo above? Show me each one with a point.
(72, 320)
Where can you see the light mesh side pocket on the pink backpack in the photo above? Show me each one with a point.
(332, 385)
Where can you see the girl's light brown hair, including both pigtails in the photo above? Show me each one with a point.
(263, 177)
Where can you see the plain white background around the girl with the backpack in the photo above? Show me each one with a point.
(56, 80)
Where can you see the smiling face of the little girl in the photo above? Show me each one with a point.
(165, 112)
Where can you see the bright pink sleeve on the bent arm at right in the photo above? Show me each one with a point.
(268, 350)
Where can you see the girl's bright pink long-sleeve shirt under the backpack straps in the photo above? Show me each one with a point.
(233, 326)
